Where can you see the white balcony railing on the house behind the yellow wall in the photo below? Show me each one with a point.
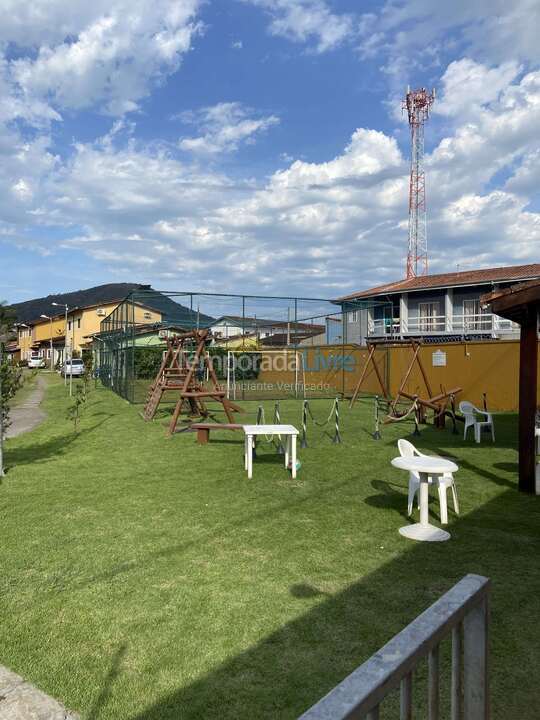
(443, 324)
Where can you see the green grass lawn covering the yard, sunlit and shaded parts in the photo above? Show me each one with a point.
(145, 578)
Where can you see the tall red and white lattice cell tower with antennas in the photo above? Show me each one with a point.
(417, 103)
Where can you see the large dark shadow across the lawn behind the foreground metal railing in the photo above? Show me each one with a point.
(293, 667)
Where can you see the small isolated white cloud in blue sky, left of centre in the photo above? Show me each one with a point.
(224, 127)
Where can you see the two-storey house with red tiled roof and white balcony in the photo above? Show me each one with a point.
(434, 308)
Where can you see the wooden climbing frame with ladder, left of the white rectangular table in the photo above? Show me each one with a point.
(183, 361)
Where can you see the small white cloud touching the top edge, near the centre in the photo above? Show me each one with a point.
(307, 20)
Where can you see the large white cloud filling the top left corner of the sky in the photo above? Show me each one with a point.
(102, 54)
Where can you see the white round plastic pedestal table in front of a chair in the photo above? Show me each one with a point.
(426, 467)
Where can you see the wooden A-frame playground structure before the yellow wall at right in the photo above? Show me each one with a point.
(438, 402)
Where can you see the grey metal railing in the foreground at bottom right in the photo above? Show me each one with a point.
(462, 614)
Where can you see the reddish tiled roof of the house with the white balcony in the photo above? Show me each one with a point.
(468, 277)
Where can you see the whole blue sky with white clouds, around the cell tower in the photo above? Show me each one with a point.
(259, 146)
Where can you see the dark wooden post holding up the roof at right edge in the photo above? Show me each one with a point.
(528, 364)
